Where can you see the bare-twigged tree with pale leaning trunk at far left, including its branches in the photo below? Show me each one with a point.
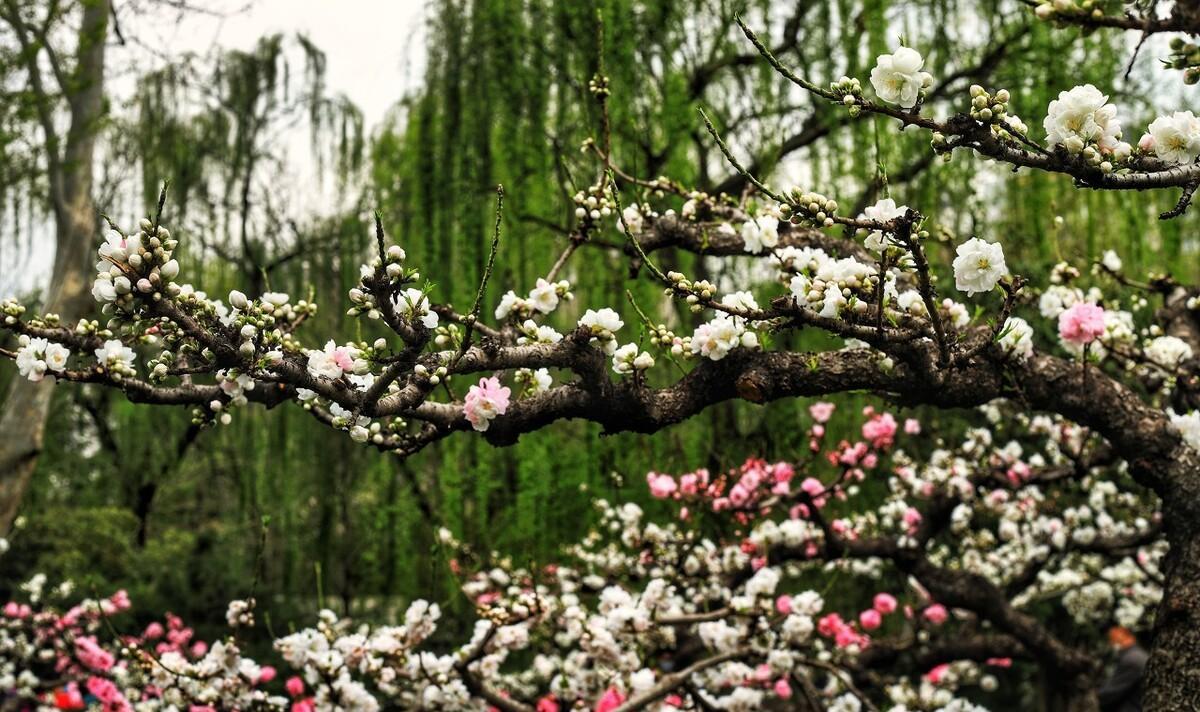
(61, 169)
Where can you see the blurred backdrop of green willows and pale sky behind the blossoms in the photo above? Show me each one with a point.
(280, 127)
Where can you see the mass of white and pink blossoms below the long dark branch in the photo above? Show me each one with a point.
(719, 603)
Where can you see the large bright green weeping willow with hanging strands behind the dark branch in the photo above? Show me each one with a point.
(506, 100)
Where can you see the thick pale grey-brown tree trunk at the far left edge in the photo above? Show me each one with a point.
(28, 405)
